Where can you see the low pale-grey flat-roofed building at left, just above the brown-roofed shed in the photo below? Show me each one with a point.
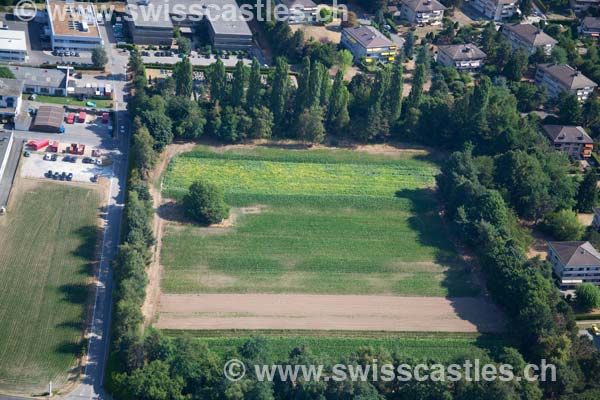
(47, 81)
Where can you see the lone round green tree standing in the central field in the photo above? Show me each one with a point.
(205, 203)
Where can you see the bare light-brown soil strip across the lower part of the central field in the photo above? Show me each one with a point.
(327, 312)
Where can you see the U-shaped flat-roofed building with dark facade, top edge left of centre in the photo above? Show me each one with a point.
(151, 22)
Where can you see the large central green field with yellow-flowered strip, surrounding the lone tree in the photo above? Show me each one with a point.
(331, 222)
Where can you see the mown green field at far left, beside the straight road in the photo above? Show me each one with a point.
(48, 241)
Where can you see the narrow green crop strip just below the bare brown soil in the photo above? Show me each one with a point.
(440, 347)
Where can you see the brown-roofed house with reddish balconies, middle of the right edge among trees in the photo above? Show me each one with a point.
(572, 140)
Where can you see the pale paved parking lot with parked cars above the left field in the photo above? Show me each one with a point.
(35, 166)
